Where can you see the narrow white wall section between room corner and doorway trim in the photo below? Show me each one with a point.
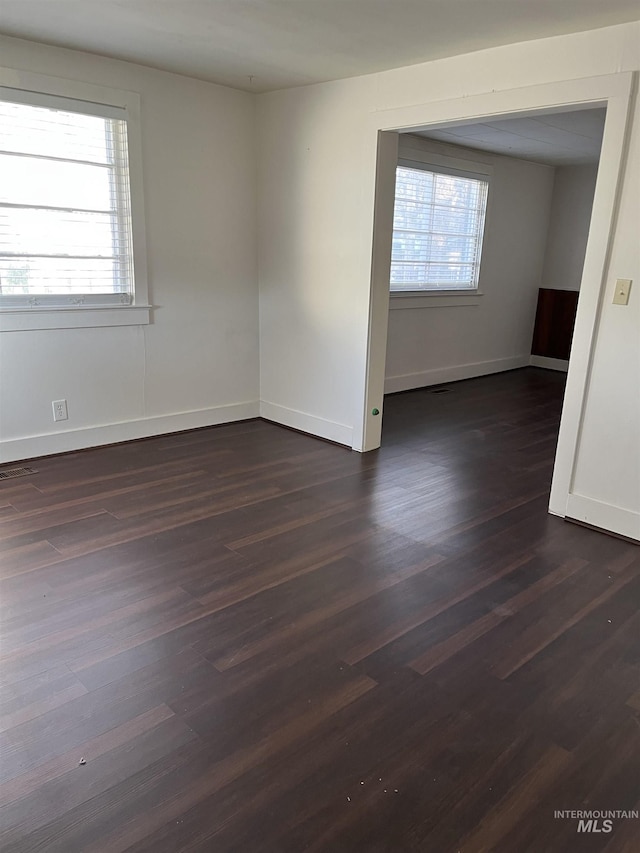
(312, 237)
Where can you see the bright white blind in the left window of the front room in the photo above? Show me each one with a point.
(65, 211)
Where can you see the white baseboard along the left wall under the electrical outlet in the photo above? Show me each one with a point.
(78, 439)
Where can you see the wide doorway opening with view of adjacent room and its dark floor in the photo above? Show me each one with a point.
(491, 221)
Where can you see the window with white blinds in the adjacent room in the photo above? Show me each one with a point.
(437, 230)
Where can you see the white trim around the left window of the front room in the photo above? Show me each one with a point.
(134, 311)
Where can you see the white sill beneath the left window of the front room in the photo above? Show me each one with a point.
(34, 319)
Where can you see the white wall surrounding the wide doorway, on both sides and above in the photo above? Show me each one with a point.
(317, 165)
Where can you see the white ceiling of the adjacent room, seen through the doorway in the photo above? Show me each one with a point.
(556, 139)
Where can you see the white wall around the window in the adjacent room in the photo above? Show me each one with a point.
(428, 344)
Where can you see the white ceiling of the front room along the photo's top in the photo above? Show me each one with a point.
(282, 43)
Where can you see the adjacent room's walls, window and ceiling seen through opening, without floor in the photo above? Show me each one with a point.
(503, 293)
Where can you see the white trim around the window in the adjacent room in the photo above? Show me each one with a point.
(412, 156)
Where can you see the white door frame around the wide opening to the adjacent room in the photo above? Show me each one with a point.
(612, 91)
